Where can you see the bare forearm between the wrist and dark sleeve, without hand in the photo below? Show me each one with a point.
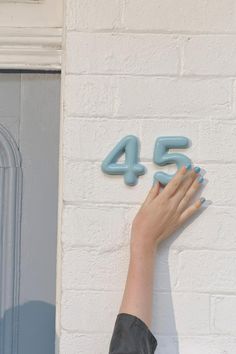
(138, 294)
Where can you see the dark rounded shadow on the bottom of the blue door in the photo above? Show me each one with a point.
(37, 327)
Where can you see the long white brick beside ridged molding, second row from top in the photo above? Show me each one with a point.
(122, 53)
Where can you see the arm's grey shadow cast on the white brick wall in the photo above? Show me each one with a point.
(163, 309)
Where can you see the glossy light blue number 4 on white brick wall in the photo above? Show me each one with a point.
(131, 168)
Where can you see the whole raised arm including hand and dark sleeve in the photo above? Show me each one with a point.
(159, 216)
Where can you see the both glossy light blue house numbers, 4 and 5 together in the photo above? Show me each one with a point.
(131, 169)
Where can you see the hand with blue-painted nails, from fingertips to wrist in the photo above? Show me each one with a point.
(163, 212)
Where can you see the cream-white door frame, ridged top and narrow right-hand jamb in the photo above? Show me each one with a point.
(28, 46)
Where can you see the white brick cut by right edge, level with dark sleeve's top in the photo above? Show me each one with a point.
(223, 312)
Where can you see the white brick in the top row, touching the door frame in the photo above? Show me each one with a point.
(93, 14)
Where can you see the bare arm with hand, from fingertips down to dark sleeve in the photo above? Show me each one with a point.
(159, 216)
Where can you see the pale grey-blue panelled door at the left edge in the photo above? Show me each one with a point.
(29, 153)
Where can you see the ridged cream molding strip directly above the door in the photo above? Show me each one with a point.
(30, 48)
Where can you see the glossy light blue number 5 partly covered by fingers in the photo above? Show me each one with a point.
(162, 157)
